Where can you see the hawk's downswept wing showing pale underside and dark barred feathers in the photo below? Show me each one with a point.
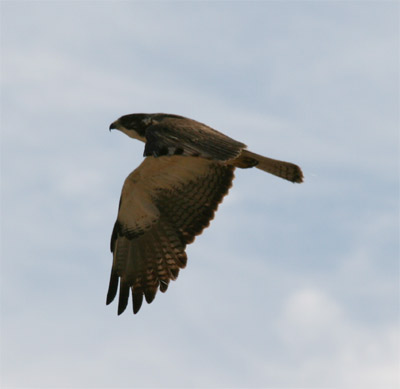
(165, 203)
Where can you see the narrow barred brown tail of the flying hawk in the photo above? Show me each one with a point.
(286, 170)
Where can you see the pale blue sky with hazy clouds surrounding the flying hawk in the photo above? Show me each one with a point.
(292, 286)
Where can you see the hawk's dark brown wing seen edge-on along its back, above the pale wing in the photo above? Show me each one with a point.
(182, 136)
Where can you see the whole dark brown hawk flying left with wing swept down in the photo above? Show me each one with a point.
(171, 197)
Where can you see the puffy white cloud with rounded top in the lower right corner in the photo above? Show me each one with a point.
(337, 351)
